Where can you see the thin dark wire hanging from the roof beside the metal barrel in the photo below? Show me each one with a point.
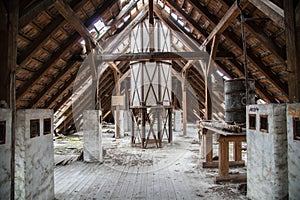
(239, 2)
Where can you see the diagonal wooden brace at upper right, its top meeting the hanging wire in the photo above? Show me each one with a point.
(223, 24)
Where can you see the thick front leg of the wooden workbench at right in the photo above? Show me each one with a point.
(223, 157)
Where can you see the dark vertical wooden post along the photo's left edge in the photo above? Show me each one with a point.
(9, 17)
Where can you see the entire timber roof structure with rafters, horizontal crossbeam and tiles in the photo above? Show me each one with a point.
(50, 58)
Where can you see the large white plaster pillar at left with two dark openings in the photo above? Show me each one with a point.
(34, 176)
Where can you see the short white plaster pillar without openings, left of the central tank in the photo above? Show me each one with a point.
(92, 136)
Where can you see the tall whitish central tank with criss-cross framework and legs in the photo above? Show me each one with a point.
(151, 85)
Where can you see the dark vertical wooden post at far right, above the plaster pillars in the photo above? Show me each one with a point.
(291, 48)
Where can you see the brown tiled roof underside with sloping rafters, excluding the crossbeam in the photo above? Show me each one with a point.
(51, 60)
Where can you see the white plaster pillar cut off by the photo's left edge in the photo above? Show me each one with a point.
(5, 156)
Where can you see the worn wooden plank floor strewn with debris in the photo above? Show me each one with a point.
(172, 172)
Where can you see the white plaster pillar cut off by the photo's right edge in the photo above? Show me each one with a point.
(293, 110)
